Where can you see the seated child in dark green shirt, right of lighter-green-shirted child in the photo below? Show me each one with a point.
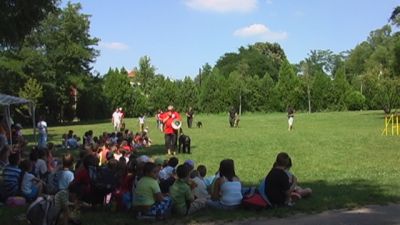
(183, 201)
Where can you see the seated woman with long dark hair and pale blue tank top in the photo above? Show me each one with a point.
(226, 193)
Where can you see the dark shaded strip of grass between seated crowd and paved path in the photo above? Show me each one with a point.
(344, 194)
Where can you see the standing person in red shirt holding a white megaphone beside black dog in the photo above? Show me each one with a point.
(170, 133)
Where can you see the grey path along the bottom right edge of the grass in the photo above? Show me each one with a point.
(368, 215)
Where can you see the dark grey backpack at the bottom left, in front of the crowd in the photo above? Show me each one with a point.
(43, 211)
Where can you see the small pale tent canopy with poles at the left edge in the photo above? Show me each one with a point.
(7, 100)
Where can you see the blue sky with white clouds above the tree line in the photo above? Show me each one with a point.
(180, 36)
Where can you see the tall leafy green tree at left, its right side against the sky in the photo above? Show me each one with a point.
(66, 50)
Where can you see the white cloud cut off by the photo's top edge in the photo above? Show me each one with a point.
(223, 5)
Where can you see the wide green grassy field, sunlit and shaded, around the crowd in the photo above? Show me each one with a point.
(342, 156)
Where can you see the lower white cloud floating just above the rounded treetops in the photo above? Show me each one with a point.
(260, 31)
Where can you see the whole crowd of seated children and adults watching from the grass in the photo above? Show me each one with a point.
(150, 187)
